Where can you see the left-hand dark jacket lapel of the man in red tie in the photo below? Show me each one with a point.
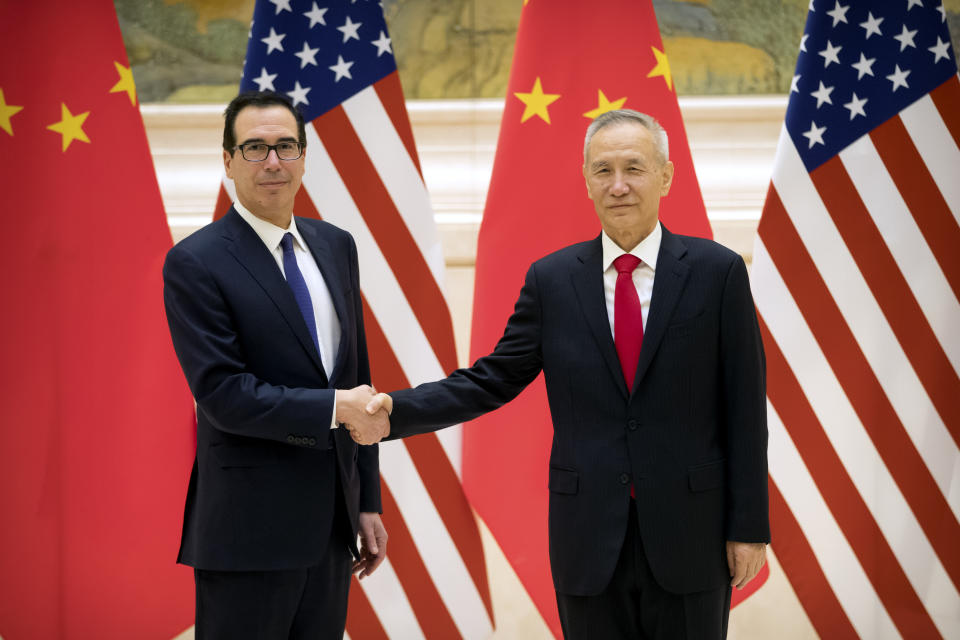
(587, 280)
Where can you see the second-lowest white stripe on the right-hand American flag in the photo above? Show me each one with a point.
(847, 436)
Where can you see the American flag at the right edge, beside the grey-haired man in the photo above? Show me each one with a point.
(856, 276)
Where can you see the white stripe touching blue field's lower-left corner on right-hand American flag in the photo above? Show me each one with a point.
(863, 315)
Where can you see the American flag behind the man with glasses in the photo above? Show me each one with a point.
(335, 60)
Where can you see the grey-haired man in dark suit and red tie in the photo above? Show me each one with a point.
(654, 370)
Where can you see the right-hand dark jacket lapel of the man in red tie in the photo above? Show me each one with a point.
(668, 283)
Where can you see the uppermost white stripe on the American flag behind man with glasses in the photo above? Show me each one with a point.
(386, 150)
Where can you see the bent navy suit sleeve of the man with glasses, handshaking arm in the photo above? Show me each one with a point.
(206, 343)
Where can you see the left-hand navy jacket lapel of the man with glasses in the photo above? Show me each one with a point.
(249, 250)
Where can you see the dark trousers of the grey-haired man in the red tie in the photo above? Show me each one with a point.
(635, 607)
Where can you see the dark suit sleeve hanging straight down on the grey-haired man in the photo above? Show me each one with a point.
(743, 370)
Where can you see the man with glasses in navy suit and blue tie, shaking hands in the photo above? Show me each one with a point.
(265, 314)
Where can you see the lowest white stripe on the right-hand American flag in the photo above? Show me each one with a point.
(840, 566)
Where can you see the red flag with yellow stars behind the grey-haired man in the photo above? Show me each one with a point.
(573, 61)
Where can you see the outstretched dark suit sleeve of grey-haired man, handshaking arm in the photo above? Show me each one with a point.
(491, 382)
